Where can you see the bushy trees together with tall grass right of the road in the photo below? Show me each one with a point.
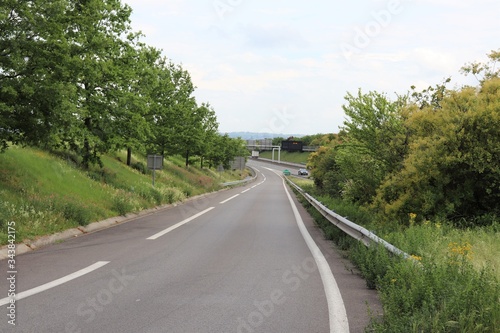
(423, 173)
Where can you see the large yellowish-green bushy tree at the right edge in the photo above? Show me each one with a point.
(453, 167)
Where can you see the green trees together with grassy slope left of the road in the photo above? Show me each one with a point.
(89, 100)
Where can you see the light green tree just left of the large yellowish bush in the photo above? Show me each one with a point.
(374, 144)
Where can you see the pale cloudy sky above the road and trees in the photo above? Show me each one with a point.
(281, 66)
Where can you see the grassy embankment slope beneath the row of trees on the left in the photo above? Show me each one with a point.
(44, 194)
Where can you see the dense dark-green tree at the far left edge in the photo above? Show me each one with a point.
(35, 100)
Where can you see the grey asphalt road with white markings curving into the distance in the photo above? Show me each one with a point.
(241, 260)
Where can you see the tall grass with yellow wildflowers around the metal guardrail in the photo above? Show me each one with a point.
(450, 285)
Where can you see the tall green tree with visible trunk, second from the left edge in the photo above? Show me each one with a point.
(99, 35)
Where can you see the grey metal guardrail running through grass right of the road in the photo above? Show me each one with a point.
(352, 229)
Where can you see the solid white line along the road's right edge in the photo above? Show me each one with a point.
(336, 307)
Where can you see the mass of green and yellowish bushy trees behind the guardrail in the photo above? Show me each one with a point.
(434, 153)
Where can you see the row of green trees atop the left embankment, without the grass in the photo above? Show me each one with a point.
(74, 76)
